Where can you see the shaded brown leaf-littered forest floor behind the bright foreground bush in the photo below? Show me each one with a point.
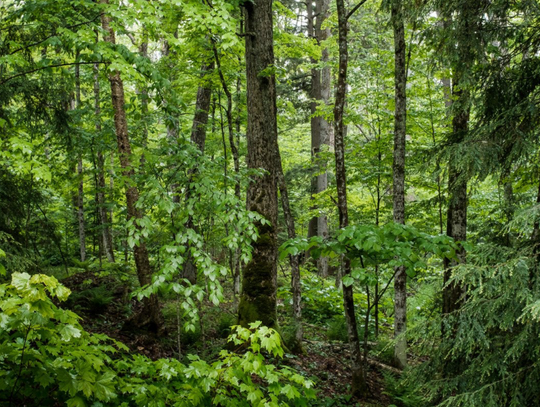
(104, 304)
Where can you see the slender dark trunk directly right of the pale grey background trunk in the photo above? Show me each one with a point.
(359, 384)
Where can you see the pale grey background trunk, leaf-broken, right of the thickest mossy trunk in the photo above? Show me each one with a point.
(321, 130)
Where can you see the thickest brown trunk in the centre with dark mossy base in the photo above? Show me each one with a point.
(259, 285)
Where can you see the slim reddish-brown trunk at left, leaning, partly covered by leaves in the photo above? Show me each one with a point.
(150, 316)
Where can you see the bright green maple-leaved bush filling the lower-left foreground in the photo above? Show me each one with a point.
(47, 359)
